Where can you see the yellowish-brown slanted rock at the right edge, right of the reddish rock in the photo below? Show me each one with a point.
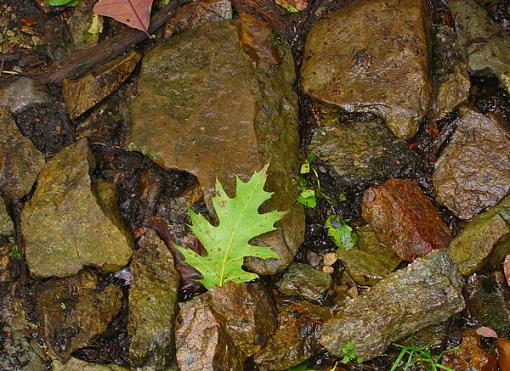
(471, 248)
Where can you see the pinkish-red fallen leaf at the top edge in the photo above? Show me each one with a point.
(134, 13)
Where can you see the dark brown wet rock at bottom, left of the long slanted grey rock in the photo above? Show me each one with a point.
(297, 337)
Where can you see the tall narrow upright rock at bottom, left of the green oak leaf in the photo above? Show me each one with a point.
(152, 304)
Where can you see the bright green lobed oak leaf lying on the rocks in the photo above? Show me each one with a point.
(228, 243)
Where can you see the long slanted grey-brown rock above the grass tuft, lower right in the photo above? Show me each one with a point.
(427, 292)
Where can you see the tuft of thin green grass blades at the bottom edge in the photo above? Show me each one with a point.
(412, 355)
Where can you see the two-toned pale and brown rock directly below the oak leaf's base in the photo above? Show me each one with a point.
(221, 328)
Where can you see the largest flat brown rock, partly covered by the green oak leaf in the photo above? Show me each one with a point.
(208, 107)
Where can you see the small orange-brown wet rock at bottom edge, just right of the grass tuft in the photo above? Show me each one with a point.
(470, 355)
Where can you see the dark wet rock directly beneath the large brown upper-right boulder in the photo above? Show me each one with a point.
(361, 153)
